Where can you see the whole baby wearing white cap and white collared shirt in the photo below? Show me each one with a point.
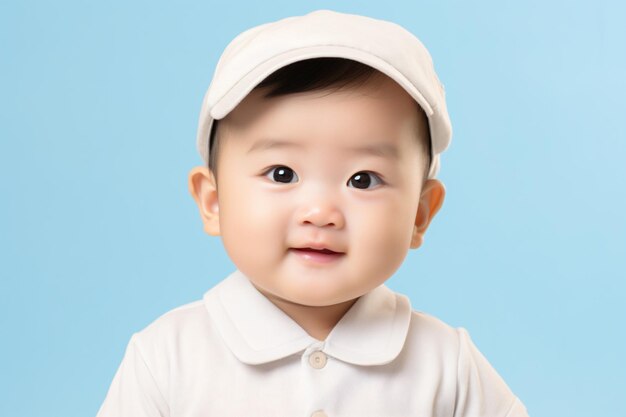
(321, 136)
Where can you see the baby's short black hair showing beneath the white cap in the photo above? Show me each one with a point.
(314, 74)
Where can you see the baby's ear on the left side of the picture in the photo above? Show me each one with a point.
(203, 189)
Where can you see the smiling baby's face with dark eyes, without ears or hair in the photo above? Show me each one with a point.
(335, 170)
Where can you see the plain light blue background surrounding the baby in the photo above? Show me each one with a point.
(99, 235)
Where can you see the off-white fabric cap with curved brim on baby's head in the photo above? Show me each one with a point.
(386, 46)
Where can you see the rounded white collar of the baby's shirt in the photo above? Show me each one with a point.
(372, 332)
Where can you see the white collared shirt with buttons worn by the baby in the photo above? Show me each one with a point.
(235, 353)
